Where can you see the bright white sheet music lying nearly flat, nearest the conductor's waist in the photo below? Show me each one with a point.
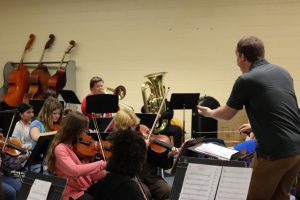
(218, 151)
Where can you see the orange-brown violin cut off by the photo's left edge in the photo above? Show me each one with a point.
(12, 146)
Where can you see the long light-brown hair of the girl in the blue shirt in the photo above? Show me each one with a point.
(45, 114)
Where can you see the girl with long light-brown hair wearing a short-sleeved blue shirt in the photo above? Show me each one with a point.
(49, 114)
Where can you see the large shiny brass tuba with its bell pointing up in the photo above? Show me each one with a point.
(156, 97)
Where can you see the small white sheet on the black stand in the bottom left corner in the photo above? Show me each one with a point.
(39, 190)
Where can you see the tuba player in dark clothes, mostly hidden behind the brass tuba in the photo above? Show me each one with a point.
(170, 130)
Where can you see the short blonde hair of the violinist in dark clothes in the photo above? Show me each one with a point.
(125, 119)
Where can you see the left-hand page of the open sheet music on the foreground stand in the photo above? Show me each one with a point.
(200, 182)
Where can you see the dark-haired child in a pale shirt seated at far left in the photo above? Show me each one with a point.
(21, 130)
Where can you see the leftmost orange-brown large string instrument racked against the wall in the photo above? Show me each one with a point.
(18, 80)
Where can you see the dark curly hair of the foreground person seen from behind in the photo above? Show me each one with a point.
(128, 153)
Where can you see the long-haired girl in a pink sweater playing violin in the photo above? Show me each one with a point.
(64, 162)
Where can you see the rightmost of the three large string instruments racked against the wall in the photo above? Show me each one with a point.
(58, 80)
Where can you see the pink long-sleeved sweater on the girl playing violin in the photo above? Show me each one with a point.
(78, 173)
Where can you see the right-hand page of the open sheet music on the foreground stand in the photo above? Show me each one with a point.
(234, 183)
